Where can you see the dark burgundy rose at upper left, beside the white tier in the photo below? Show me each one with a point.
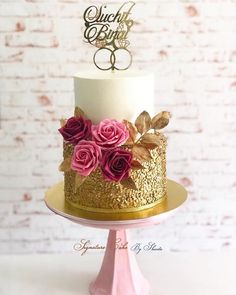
(76, 129)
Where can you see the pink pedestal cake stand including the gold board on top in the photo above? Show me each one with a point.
(119, 273)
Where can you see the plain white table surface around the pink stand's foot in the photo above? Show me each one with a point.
(168, 273)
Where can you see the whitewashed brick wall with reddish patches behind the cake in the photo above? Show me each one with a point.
(192, 49)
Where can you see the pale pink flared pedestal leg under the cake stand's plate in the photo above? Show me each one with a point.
(119, 273)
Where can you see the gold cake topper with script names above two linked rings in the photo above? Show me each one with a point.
(109, 31)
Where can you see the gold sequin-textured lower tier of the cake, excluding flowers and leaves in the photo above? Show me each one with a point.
(96, 194)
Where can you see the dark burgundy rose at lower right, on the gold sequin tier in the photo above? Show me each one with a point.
(116, 164)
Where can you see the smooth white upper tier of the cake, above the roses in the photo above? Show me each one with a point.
(118, 95)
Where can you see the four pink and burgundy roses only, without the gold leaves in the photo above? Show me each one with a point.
(98, 145)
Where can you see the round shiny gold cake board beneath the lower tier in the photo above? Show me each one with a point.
(55, 200)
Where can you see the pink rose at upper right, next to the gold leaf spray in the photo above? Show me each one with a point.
(109, 134)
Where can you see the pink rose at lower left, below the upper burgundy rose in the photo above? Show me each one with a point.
(86, 157)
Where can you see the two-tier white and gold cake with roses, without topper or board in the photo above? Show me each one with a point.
(114, 152)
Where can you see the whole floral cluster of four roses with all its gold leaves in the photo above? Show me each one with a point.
(115, 147)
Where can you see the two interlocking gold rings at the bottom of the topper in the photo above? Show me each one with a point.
(112, 59)
